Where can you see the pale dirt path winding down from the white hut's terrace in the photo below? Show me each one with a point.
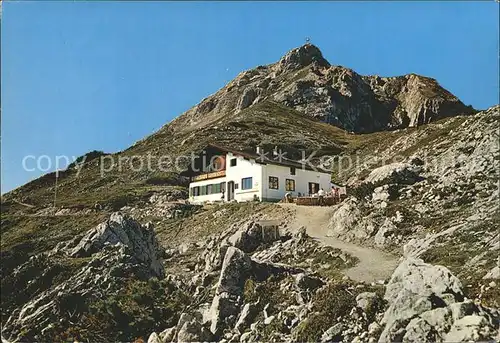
(373, 264)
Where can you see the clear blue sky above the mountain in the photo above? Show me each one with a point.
(102, 75)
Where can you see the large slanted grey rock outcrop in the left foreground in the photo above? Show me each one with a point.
(117, 248)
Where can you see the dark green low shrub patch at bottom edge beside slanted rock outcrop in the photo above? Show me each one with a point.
(141, 306)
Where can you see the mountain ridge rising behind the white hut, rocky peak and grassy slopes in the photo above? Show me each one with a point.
(304, 74)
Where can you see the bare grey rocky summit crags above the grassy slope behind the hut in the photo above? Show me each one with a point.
(305, 81)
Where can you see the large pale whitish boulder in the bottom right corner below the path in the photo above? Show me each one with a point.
(426, 303)
